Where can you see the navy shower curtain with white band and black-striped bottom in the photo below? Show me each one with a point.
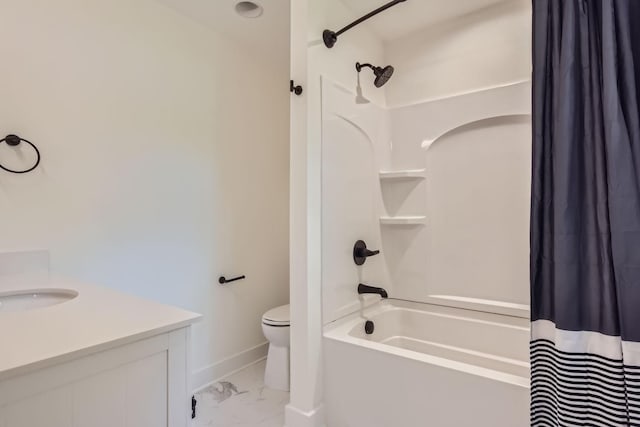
(585, 214)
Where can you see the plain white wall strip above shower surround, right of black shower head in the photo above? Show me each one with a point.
(487, 48)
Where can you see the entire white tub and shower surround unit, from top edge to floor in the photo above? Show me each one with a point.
(463, 343)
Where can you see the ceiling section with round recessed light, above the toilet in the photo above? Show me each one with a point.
(267, 35)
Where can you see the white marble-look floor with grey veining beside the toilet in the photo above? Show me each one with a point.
(241, 400)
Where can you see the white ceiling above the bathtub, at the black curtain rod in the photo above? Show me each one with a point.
(413, 15)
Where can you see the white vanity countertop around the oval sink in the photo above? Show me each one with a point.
(97, 319)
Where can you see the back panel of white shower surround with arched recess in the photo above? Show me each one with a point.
(476, 149)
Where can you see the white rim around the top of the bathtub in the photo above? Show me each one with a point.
(339, 330)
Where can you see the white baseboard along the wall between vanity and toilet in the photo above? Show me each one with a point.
(208, 375)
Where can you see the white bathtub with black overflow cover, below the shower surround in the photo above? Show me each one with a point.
(427, 366)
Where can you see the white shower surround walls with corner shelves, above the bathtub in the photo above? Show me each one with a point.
(440, 187)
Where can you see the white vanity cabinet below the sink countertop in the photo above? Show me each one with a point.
(143, 383)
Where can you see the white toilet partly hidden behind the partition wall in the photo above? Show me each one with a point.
(275, 326)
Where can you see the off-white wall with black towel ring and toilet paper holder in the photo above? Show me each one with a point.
(161, 169)
